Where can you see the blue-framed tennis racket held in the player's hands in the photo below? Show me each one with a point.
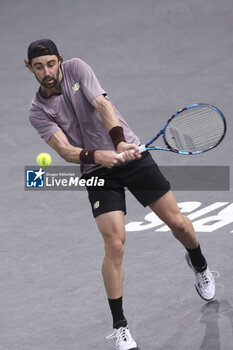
(194, 129)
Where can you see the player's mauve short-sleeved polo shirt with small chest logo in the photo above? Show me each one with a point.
(71, 111)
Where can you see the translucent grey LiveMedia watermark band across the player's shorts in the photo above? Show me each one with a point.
(181, 178)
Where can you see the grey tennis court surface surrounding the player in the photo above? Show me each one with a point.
(153, 57)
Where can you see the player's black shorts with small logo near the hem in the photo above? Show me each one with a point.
(142, 177)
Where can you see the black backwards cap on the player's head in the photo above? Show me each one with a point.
(42, 47)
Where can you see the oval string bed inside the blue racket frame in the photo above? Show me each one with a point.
(195, 129)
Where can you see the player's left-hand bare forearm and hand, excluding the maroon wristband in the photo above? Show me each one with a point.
(59, 142)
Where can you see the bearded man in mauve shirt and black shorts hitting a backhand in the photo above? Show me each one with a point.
(73, 114)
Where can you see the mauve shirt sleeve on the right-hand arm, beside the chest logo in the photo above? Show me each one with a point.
(87, 79)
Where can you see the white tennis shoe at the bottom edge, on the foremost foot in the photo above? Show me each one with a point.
(124, 340)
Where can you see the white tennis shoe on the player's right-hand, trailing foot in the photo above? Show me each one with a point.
(205, 283)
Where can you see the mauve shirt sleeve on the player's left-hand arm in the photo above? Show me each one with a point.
(43, 124)
